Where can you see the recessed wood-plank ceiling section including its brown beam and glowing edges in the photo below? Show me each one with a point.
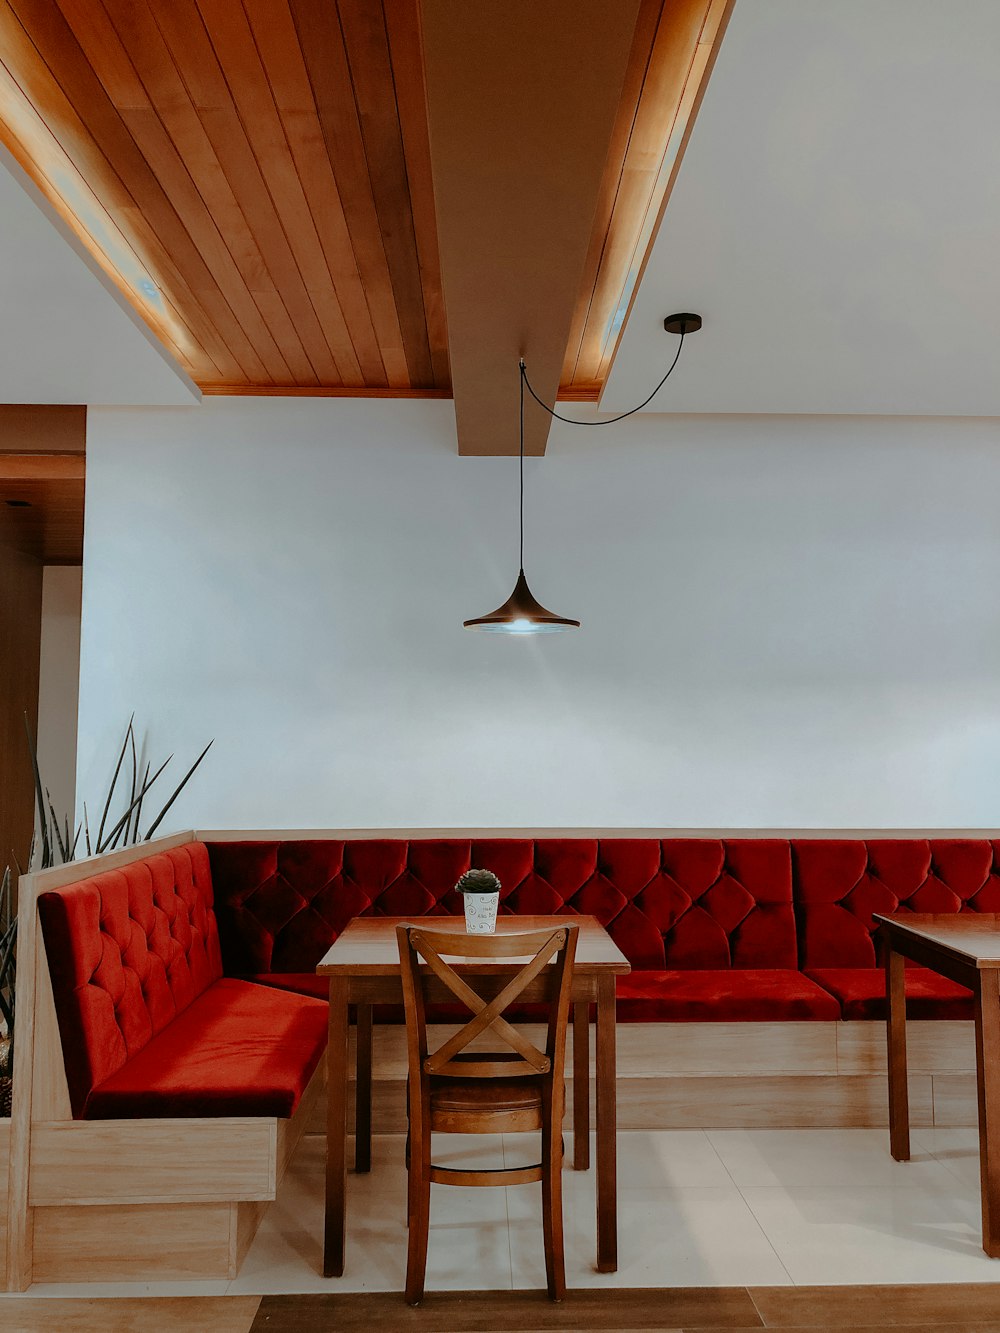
(257, 177)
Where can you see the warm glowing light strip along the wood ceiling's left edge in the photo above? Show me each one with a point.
(50, 167)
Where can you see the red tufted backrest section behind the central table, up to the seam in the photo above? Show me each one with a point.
(667, 903)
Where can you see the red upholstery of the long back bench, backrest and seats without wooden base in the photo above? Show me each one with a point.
(717, 930)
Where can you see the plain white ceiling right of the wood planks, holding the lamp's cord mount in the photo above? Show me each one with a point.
(837, 219)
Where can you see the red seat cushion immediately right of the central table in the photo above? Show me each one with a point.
(733, 995)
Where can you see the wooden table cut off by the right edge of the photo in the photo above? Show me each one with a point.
(965, 948)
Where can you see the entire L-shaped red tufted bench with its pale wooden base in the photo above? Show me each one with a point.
(181, 1068)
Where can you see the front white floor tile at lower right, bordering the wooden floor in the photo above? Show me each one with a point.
(827, 1235)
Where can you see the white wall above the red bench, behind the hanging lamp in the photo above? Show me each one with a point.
(789, 622)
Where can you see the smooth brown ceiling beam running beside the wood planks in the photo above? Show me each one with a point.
(522, 105)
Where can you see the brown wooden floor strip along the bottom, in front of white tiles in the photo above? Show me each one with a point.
(947, 1308)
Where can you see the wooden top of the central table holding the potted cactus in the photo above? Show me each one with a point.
(367, 947)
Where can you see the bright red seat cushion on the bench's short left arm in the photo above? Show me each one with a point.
(238, 1050)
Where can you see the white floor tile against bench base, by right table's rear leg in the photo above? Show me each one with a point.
(795, 1158)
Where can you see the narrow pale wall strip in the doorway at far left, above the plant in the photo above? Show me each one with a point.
(59, 680)
